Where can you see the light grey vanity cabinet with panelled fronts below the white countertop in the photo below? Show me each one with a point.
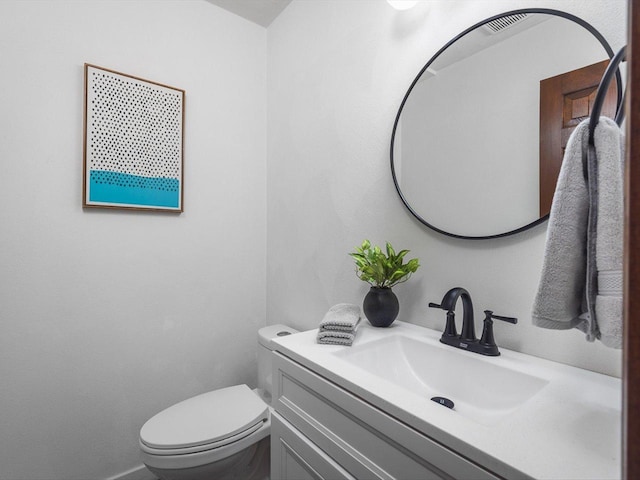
(322, 431)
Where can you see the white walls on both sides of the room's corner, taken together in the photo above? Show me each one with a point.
(106, 317)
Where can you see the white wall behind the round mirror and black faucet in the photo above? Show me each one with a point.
(337, 72)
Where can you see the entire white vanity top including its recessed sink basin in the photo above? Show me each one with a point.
(525, 416)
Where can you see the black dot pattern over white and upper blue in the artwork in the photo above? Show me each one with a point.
(133, 128)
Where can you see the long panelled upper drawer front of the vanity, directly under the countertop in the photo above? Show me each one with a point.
(364, 440)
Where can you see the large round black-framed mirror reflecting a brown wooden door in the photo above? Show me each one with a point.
(479, 137)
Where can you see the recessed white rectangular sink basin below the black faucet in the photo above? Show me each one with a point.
(481, 389)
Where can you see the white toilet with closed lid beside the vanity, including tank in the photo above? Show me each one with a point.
(223, 434)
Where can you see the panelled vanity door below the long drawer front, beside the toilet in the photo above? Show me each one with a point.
(293, 457)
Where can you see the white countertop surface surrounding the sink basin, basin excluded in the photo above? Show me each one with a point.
(569, 430)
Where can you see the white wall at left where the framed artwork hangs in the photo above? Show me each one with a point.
(107, 317)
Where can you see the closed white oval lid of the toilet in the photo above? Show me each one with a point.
(205, 419)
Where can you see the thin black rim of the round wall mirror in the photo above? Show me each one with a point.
(547, 11)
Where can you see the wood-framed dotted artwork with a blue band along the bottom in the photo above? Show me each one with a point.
(133, 142)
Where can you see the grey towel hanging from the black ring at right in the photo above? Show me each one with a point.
(580, 286)
